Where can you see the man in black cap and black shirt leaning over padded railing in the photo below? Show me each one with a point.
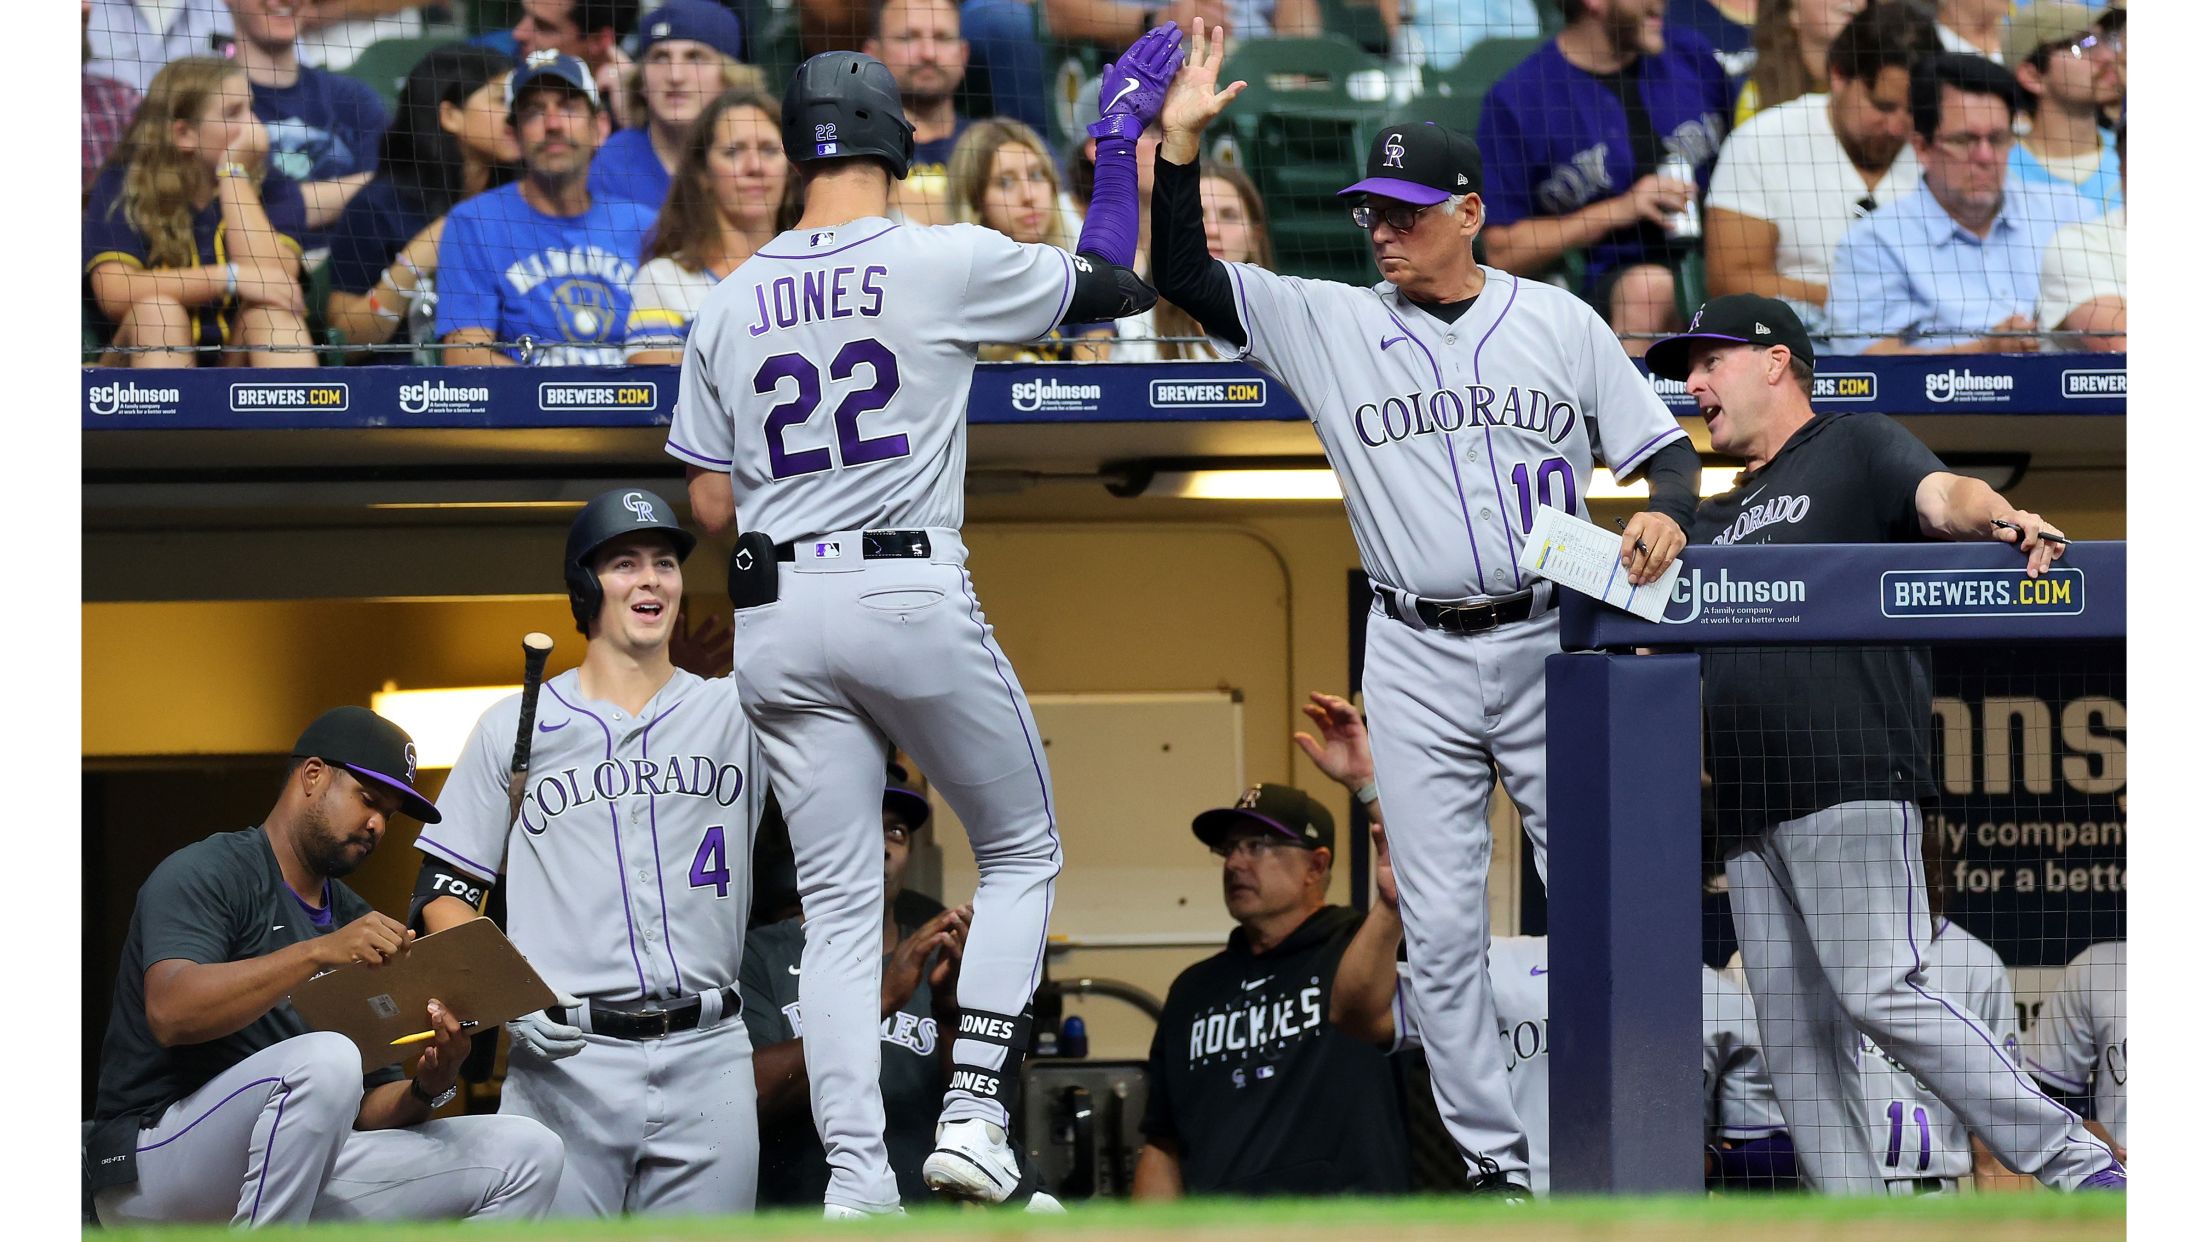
(1820, 757)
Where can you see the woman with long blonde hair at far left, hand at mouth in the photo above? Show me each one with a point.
(189, 242)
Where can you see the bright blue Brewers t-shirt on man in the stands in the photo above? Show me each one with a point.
(564, 282)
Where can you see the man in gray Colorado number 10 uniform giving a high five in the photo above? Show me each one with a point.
(1452, 401)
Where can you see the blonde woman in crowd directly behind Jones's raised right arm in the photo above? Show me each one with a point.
(1001, 178)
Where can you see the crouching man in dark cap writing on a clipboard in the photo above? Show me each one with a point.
(217, 1102)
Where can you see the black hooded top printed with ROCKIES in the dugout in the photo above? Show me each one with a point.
(1260, 1091)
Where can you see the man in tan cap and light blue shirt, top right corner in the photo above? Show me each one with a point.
(2068, 76)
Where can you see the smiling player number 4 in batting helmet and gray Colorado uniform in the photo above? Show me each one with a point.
(628, 885)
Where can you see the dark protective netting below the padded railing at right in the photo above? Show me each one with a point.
(1926, 870)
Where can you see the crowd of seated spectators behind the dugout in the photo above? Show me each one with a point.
(284, 182)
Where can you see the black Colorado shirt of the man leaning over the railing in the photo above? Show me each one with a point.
(1796, 730)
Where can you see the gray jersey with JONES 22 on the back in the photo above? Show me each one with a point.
(851, 352)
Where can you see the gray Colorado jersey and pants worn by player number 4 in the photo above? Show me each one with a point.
(628, 876)
